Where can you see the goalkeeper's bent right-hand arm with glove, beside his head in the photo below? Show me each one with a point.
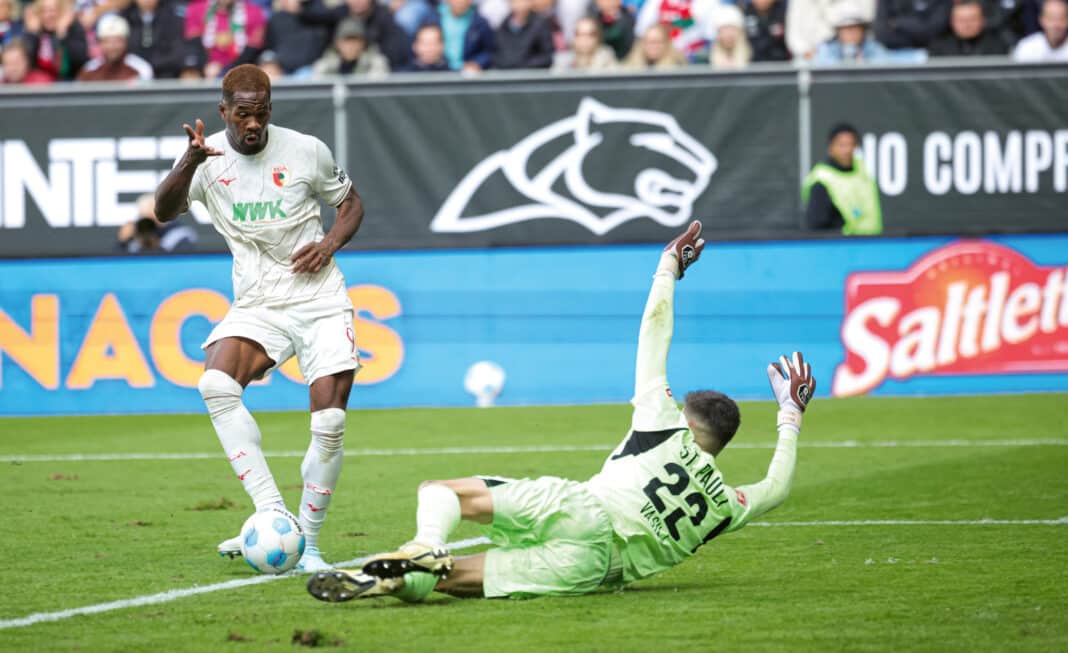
(794, 385)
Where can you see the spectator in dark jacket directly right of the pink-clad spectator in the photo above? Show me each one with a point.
(292, 44)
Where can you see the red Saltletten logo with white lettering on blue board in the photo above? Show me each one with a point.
(972, 307)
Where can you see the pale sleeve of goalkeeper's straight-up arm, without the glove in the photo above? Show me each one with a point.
(655, 409)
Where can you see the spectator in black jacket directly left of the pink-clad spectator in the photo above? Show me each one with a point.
(156, 37)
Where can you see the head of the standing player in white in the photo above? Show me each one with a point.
(246, 108)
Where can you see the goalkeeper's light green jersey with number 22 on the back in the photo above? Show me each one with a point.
(665, 495)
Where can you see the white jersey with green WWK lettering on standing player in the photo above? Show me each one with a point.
(266, 207)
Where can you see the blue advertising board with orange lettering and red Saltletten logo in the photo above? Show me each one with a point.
(882, 317)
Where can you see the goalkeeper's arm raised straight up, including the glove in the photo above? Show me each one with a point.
(654, 408)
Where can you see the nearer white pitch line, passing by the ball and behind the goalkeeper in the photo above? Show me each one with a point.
(463, 545)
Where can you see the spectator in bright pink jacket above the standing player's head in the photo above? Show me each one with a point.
(226, 28)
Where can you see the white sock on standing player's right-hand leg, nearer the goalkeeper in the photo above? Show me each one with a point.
(321, 470)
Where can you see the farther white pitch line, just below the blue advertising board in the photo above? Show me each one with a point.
(77, 458)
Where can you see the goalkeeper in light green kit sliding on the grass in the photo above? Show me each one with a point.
(658, 499)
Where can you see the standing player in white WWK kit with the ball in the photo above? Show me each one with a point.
(262, 186)
